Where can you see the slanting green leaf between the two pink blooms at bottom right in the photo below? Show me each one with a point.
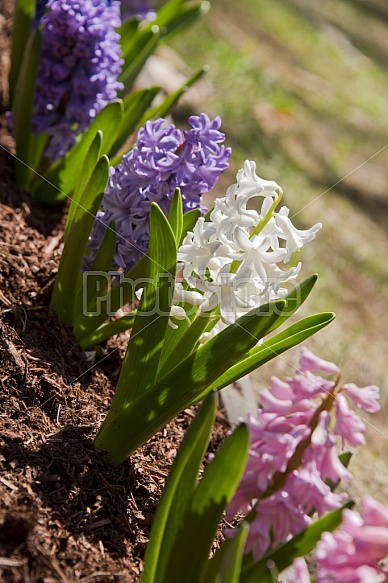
(299, 546)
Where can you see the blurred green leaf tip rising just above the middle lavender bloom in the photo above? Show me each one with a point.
(135, 106)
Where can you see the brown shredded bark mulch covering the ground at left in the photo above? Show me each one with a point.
(66, 512)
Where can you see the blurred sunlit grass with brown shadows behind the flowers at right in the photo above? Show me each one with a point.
(302, 89)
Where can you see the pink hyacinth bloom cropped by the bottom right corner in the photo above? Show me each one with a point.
(352, 553)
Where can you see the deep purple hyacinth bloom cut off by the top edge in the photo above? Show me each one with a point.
(80, 65)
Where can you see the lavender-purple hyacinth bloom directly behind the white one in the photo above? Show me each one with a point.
(163, 159)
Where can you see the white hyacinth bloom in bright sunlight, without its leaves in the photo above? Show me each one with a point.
(233, 258)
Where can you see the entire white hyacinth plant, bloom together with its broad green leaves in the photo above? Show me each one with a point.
(179, 369)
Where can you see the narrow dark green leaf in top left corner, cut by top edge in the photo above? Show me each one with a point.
(24, 13)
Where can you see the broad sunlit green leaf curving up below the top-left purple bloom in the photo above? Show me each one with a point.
(64, 174)
